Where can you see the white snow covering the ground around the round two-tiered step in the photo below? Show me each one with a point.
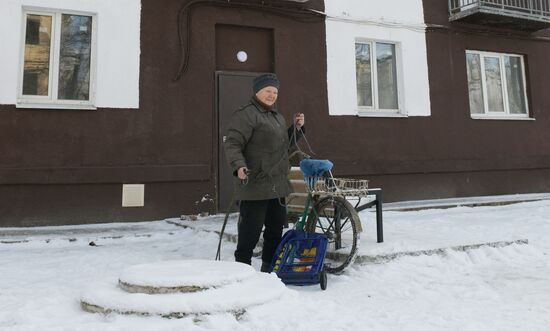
(505, 288)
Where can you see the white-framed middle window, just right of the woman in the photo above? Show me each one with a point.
(376, 74)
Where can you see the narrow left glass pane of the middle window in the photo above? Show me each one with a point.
(364, 74)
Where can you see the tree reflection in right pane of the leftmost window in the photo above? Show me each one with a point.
(74, 57)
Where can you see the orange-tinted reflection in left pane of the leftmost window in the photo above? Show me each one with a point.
(36, 70)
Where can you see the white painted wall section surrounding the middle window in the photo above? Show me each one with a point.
(400, 21)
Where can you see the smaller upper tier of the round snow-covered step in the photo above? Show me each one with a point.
(183, 276)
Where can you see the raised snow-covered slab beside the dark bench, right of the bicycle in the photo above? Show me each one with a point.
(433, 229)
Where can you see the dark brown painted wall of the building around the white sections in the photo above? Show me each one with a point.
(65, 167)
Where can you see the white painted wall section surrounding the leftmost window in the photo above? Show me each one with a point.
(118, 47)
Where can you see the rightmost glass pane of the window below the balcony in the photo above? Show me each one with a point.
(514, 83)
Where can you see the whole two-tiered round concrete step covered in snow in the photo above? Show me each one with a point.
(176, 289)
